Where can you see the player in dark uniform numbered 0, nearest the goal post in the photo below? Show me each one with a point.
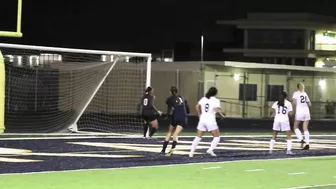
(149, 112)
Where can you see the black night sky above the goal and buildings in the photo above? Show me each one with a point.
(133, 25)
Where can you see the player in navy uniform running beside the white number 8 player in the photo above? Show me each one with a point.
(180, 110)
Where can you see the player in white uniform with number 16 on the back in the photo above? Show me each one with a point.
(280, 111)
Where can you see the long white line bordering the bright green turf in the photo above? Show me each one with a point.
(171, 165)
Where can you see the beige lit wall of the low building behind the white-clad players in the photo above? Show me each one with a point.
(229, 88)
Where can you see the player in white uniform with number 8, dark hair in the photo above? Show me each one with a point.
(207, 108)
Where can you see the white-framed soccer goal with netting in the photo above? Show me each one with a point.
(53, 89)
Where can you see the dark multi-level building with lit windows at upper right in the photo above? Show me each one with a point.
(288, 38)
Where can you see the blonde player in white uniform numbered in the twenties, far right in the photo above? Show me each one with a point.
(302, 114)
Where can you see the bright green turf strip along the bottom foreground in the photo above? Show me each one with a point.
(266, 174)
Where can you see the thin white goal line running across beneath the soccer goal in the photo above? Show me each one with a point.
(71, 136)
